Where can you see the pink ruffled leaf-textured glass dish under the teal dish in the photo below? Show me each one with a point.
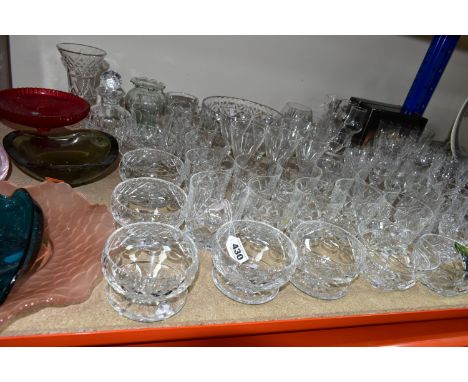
(68, 266)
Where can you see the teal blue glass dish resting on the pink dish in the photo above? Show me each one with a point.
(21, 230)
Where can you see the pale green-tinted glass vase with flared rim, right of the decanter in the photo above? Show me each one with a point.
(147, 102)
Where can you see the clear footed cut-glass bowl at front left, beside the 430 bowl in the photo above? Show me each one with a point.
(149, 268)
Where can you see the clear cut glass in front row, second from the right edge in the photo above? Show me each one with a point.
(388, 263)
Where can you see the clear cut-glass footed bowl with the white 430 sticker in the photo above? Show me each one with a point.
(268, 263)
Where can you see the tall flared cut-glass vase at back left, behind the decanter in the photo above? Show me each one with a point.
(84, 65)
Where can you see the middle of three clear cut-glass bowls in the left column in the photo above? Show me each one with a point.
(148, 200)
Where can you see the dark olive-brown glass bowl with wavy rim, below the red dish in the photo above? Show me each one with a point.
(77, 157)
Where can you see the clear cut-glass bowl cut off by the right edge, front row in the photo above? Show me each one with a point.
(442, 264)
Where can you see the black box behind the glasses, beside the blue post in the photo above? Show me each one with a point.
(384, 112)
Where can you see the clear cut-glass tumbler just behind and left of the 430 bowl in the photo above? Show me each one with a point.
(207, 205)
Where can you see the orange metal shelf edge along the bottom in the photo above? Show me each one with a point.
(368, 329)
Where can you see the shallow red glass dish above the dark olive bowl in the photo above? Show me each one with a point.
(42, 108)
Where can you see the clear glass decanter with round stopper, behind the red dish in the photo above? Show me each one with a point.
(109, 116)
